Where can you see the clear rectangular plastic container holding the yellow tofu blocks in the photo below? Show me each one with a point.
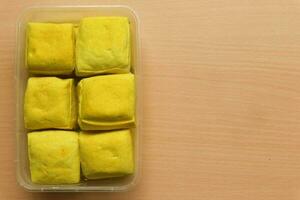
(72, 14)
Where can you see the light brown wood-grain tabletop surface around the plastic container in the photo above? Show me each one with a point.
(222, 101)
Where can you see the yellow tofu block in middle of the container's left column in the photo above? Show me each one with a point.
(49, 103)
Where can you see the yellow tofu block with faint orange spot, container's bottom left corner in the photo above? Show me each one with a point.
(54, 157)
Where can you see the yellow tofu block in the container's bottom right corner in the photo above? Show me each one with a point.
(106, 154)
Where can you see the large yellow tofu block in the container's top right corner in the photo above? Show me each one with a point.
(103, 46)
